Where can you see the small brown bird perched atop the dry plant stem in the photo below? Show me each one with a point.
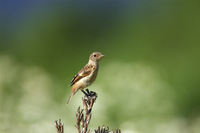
(87, 75)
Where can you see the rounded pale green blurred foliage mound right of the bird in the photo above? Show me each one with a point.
(139, 89)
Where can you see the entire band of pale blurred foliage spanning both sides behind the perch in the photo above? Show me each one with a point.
(142, 99)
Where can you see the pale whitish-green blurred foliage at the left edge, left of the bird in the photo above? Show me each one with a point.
(28, 111)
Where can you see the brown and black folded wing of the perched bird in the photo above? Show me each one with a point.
(82, 73)
